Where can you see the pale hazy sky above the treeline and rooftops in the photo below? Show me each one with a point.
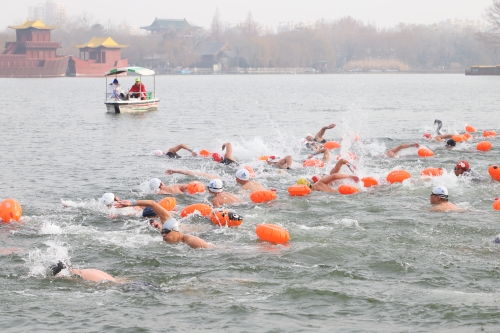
(270, 13)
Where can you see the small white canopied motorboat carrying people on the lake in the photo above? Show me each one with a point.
(127, 103)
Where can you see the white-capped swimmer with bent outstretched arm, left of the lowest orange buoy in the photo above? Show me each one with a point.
(168, 225)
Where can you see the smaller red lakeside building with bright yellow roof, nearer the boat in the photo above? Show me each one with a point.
(97, 57)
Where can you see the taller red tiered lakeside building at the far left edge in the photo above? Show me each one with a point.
(33, 54)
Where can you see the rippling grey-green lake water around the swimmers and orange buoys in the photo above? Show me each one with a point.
(377, 261)
